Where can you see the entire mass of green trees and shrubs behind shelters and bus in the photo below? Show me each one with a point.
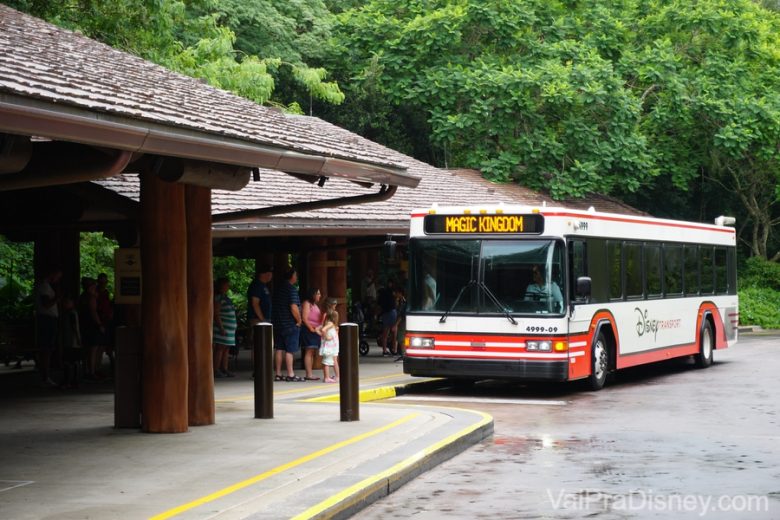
(673, 106)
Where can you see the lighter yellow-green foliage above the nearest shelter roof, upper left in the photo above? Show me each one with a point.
(197, 38)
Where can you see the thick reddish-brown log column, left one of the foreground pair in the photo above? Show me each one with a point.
(164, 307)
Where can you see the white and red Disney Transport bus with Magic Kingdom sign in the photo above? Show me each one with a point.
(554, 294)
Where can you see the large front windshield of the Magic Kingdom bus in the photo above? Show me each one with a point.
(470, 276)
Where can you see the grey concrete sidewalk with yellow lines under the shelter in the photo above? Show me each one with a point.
(61, 458)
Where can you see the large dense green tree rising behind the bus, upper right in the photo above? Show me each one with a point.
(577, 97)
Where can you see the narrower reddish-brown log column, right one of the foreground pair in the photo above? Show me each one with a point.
(199, 306)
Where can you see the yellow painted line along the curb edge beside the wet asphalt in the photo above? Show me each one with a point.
(363, 489)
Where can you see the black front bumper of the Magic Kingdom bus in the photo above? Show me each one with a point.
(526, 370)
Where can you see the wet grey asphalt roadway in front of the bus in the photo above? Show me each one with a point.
(662, 441)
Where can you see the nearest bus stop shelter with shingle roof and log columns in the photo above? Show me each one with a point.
(73, 111)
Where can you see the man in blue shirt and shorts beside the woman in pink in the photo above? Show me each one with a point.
(287, 324)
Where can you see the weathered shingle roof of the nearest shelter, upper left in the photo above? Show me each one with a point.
(42, 62)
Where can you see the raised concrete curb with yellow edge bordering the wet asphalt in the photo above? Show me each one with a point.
(355, 498)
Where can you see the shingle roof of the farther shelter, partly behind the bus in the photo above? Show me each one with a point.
(445, 187)
